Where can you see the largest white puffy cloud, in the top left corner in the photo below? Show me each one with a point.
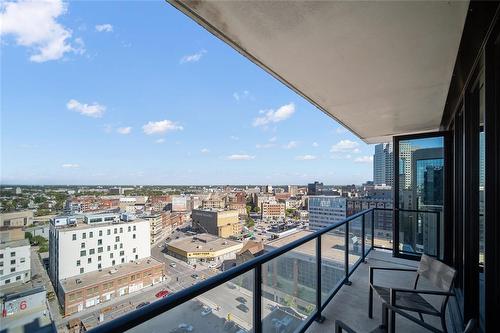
(34, 25)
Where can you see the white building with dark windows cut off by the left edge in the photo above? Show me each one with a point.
(15, 265)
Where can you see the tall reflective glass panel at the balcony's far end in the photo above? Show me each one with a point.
(421, 188)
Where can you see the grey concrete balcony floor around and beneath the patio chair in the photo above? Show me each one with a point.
(351, 302)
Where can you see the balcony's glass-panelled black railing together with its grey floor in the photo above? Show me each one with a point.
(292, 285)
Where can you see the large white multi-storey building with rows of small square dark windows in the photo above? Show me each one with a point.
(79, 248)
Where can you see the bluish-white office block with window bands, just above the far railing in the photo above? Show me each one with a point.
(325, 211)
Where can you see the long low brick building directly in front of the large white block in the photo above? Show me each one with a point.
(87, 290)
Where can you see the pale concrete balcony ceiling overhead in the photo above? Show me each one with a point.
(379, 68)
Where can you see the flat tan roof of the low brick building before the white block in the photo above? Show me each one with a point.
(111, 273)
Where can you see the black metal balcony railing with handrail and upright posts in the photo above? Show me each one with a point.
(357, 232)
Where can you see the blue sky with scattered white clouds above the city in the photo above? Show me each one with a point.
(137, 93)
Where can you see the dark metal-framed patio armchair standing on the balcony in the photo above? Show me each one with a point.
(440, 276)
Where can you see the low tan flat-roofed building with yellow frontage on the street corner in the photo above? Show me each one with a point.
(203, 248)
